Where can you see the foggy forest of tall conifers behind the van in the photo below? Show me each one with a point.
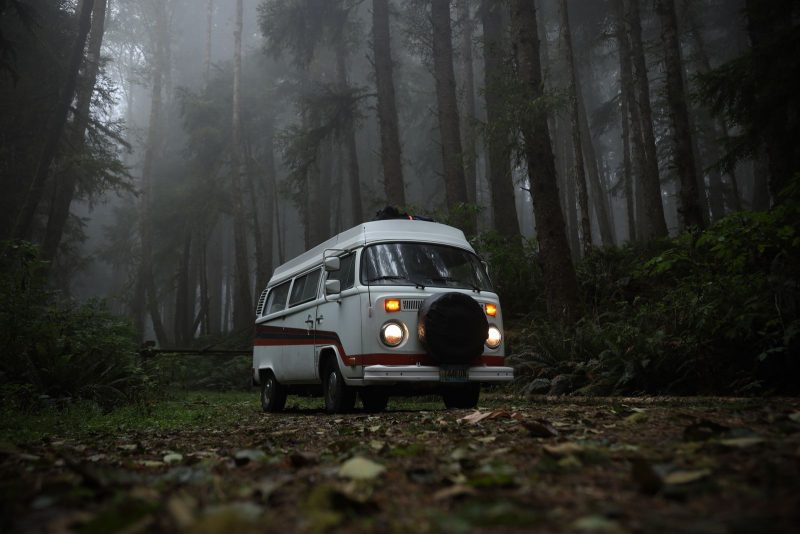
(168, 155)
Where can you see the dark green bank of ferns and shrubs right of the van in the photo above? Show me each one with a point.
(710, 312)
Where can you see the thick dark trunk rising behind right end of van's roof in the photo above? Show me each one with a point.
(447, 106)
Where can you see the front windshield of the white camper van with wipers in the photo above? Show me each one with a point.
(423, 265)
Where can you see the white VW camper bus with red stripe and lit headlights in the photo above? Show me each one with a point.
(384, 308)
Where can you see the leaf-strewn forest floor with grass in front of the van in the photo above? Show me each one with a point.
(211, 462)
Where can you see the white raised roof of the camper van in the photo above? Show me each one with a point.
(374, 232)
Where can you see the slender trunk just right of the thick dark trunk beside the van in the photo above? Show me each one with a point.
(579, 168)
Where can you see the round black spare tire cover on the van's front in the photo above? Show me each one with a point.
(452, 327)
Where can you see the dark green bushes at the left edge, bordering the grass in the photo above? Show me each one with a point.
(55, 347)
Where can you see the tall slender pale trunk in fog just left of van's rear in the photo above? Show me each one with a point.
(243, 303)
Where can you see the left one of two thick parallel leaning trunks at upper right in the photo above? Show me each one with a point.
(652, 221)
